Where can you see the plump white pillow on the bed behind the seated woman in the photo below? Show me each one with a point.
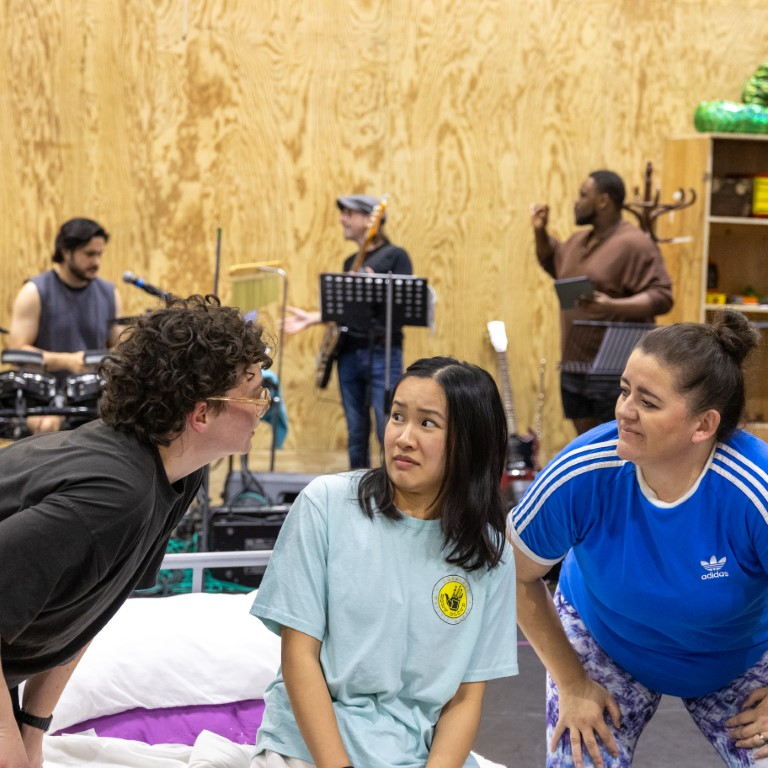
(197, 648)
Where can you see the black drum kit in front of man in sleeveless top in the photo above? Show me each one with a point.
(28, 389)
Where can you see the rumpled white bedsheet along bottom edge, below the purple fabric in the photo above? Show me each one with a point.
(209, 751)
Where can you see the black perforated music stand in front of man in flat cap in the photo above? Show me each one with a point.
(361, 299)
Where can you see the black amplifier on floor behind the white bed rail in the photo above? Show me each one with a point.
(242, 529)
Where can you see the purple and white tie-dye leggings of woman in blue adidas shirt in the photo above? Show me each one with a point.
(638, 704)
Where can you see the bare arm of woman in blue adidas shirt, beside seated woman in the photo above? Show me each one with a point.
(582, 700)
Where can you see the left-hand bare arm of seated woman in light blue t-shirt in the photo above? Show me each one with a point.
(310, 699)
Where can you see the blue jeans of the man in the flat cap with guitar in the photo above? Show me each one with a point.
(357, 369)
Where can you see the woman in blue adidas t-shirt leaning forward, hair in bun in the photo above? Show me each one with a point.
(663, 516)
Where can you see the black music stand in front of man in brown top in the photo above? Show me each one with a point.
(616, 342)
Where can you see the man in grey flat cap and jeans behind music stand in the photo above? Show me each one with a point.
(360, 354)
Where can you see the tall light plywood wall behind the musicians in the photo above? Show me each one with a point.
(169, 119)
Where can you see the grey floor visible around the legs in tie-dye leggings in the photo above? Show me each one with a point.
(512, 726)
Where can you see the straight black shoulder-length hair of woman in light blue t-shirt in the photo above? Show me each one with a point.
(471, 510)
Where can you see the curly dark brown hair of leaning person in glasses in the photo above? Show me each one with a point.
(172, 358)
